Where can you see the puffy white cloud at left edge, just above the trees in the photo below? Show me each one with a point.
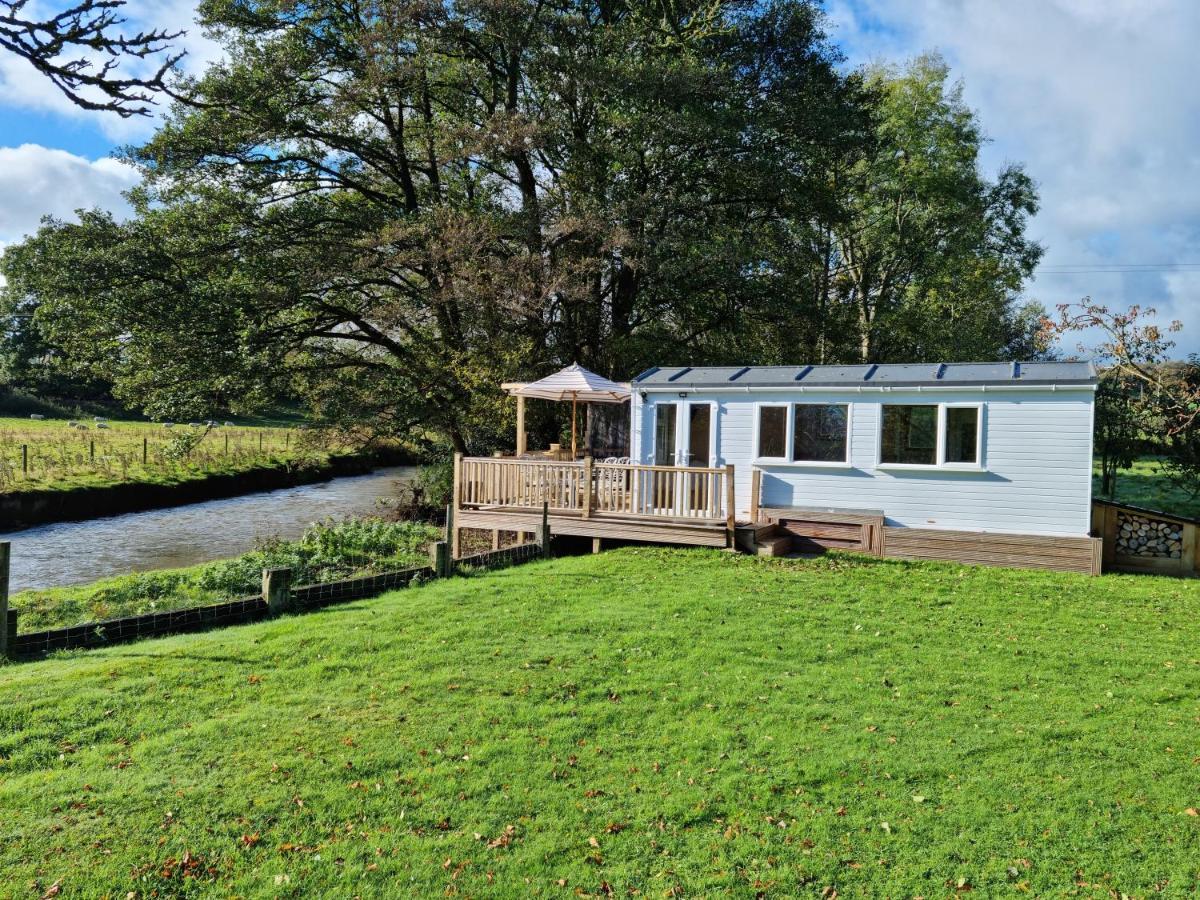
(38, 182)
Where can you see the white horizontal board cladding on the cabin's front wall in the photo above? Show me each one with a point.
(1034, 475)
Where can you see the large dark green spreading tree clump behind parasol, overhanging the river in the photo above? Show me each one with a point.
(400, 206)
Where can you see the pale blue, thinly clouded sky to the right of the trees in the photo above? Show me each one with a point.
(1097, 99)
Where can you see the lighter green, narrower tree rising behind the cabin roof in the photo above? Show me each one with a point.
(929, 256)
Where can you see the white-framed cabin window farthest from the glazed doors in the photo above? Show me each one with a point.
(929, 435)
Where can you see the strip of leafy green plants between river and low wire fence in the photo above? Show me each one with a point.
(326, 553)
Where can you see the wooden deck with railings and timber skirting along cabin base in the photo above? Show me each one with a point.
(695, 507)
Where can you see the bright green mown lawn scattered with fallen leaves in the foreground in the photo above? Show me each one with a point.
(668, 723)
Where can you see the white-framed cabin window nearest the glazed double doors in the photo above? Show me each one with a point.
(806, 434)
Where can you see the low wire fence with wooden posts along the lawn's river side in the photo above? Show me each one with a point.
(278, 597)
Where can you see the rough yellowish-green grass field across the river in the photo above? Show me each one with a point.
(51, 455)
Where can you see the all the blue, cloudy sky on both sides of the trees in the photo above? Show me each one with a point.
(1095, 98)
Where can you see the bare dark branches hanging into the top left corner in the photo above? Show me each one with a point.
(81, 50)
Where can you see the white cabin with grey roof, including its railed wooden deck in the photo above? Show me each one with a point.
(986, 464)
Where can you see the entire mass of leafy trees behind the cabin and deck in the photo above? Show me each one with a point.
(389, 209)
